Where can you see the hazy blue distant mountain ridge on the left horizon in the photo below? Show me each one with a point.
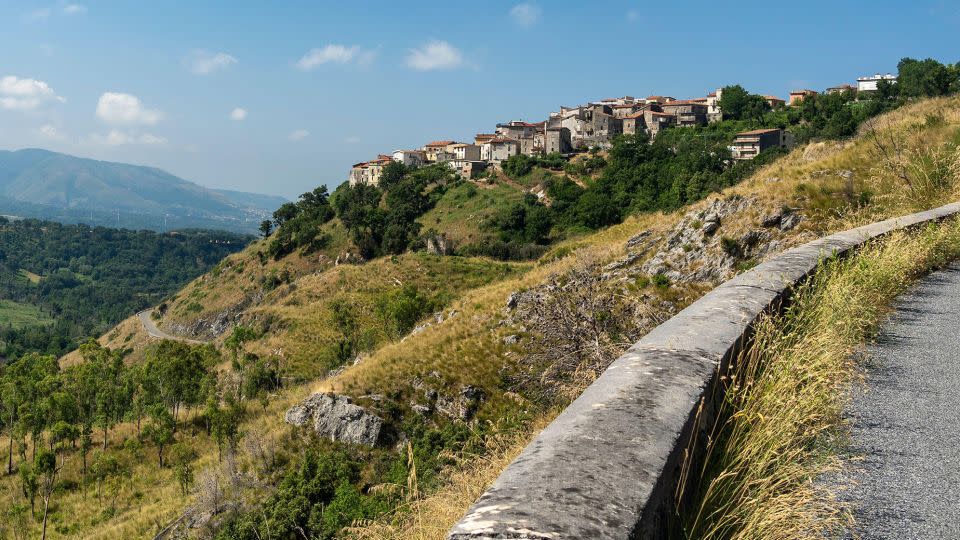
(44, 184)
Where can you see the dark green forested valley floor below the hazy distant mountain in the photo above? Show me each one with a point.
(92, 278)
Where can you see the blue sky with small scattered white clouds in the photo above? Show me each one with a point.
(280, 97)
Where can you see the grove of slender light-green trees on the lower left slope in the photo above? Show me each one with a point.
(47, 412)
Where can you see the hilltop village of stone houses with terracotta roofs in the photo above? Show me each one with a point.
(595, 124)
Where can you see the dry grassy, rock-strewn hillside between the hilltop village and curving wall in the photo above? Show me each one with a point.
(462, 357)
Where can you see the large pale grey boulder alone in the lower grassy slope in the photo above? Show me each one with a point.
(336, 417)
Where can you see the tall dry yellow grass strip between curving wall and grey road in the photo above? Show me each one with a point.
(781, 425)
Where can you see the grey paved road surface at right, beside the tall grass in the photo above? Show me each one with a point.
(906, 421)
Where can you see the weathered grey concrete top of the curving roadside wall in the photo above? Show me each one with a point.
(607, 467)
